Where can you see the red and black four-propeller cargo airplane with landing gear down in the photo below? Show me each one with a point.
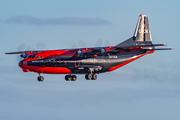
(90, 61)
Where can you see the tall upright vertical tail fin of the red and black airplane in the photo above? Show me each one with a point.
(142, 34)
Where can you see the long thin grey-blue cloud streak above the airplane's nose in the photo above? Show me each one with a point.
(57, 21)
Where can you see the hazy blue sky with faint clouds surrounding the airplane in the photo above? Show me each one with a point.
(146, 89)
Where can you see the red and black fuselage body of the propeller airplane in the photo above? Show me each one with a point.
(78, 65)
